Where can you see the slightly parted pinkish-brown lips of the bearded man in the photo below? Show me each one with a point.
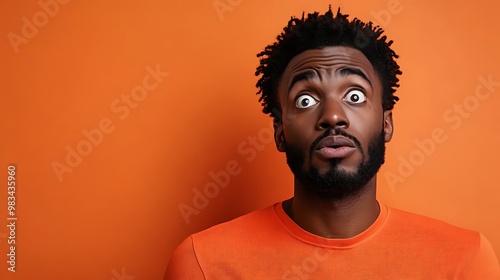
(335, 147)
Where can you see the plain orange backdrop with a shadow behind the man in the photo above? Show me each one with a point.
(116, 214)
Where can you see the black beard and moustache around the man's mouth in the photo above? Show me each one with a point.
(336, 183)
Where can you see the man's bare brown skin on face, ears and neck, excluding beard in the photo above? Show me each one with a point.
(323, 89)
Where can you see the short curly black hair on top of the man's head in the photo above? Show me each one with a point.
(319, 31)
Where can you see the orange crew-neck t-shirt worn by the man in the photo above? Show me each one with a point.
(267, 244)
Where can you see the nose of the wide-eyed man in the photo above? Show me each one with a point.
(332, 116)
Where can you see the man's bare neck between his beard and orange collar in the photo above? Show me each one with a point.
(332, 218)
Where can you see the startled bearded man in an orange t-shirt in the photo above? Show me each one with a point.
(329, 84)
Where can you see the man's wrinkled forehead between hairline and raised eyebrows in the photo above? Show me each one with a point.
(328, 60)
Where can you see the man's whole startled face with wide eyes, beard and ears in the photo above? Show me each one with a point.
(333, 127)
